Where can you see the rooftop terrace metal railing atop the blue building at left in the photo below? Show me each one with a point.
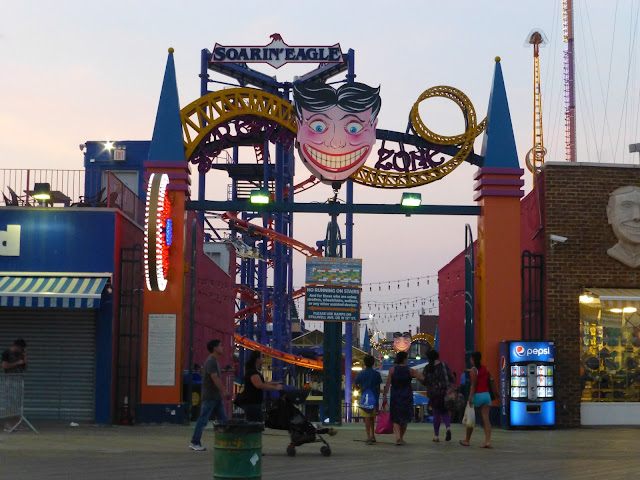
(71, 188)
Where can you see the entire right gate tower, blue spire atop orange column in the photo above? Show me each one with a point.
(498, 191)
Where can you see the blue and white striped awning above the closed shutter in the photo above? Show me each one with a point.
(53, 291)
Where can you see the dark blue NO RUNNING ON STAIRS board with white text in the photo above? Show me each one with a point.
(332, 304)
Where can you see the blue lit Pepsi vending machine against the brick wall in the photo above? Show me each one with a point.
(527, 396)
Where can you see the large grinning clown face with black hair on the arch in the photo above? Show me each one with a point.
(336, 128)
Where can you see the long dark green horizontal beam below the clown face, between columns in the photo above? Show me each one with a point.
(332, 208)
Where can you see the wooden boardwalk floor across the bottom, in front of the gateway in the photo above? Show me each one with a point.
(160, 452)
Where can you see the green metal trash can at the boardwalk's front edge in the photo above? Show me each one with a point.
(237, 449)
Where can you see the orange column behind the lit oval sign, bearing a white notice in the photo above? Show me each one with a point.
(167, 302)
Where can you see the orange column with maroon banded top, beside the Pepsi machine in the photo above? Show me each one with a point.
(498, 271)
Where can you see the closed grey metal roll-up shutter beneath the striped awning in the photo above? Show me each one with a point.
(61, 347)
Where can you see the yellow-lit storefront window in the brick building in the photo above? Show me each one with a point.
(609, 350)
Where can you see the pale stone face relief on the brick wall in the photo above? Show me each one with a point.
(623, 213)
